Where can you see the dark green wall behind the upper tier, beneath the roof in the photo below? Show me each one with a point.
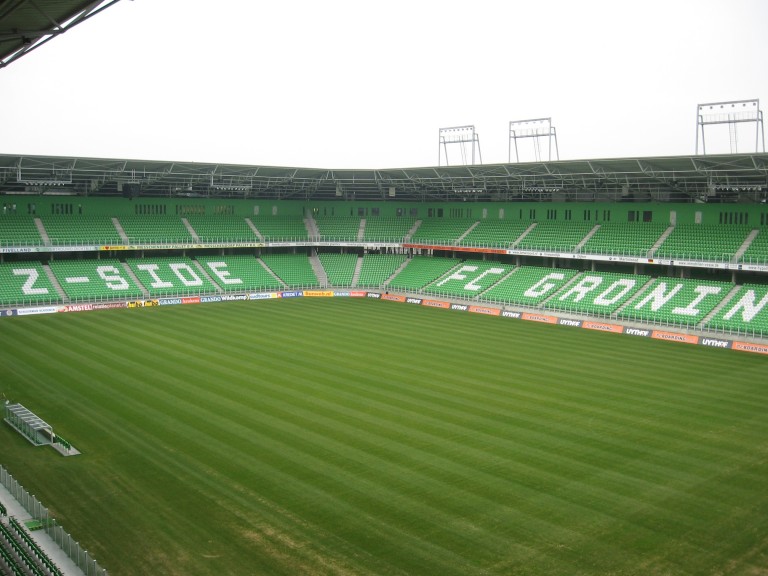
(598, 212)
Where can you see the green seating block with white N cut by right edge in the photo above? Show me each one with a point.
(745, 313)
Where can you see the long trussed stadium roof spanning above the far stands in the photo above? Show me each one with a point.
(721, 178)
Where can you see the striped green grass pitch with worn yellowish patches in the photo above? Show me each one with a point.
(342, 436)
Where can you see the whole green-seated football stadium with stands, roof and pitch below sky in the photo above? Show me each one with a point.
(552, 367)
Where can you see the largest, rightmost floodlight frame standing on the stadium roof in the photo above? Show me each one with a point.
(730, 114)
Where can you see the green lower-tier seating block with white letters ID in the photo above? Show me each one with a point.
(171, 276)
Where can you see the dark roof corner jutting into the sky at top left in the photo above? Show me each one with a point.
(26, 24)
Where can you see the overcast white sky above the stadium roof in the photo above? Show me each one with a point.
(354, 84)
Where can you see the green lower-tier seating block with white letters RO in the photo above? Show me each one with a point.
(598, 293)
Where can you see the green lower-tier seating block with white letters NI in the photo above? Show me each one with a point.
(676, 302)
